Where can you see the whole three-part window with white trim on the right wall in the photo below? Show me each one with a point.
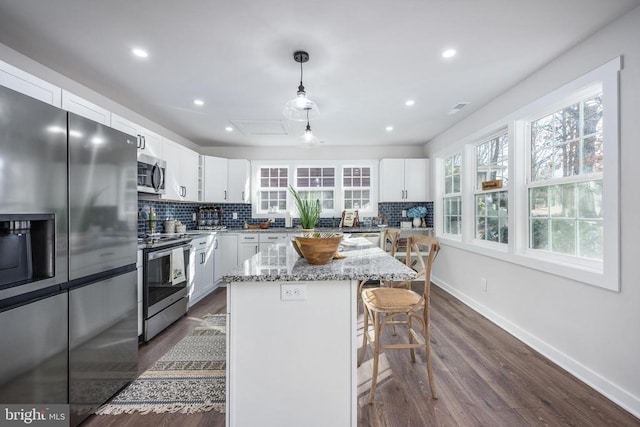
(558, 209)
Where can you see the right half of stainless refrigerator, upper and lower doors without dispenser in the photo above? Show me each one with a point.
(102, 287)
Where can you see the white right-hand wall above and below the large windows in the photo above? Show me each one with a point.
(592, 332)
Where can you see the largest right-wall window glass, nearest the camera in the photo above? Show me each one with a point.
(566, 177)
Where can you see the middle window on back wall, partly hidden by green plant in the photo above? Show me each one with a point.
(317, 183)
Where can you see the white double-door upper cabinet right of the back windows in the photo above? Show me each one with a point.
(404, 180)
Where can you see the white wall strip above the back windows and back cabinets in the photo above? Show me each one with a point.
(318, 153)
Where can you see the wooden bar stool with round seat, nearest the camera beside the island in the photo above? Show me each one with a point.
(397, 306)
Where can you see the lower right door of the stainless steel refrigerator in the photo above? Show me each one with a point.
(103, 342)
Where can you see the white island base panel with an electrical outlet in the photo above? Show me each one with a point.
(292, 363)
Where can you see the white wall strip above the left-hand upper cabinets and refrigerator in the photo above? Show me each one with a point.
(25, 63)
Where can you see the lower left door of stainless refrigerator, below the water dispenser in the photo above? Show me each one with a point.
(33, 344)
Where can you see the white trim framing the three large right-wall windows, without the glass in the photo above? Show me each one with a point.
(604, 274)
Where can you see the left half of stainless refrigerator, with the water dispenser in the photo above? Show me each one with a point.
(33, 251)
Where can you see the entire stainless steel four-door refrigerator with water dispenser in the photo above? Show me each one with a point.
(68, 237)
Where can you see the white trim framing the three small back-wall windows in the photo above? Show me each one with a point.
(339, 188)
